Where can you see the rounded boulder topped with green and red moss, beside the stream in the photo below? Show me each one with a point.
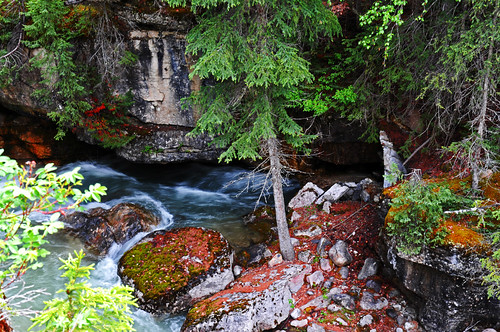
(172, 269)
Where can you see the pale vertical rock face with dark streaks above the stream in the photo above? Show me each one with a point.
(161, 77)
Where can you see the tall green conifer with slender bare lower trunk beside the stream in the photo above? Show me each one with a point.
(252, 50)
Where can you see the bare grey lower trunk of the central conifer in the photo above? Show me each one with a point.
(279, 201)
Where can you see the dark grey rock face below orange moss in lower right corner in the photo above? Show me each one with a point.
(448, 286)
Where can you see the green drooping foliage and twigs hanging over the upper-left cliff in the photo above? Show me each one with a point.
(50, 30)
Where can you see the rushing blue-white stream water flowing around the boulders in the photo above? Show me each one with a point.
(181, 195)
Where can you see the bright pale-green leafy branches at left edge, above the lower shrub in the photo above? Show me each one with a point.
(27, 190)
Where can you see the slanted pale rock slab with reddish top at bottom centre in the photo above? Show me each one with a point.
(257, 301)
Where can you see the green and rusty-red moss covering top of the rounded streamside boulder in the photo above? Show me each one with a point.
(166, 261)
